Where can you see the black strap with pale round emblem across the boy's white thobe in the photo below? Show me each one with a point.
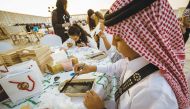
(135, 78)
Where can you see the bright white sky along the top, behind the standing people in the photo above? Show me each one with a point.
(40, 7)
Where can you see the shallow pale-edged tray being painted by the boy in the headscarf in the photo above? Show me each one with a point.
(77, 87)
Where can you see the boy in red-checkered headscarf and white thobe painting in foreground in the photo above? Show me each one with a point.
(147, 33)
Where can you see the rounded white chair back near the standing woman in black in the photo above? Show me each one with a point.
(51, 40)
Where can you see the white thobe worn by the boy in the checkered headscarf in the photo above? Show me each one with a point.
(153, 92)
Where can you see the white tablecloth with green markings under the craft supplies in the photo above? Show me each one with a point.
(105, 86)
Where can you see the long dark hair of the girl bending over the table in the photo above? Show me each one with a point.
(76, 30)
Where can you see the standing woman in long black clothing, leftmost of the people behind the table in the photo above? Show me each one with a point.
(60, 19)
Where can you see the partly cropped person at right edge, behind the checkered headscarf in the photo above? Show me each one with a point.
(186, 22)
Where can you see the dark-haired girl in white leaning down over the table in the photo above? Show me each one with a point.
(79, 37)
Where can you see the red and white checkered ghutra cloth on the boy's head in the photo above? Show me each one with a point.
(155, 34)
